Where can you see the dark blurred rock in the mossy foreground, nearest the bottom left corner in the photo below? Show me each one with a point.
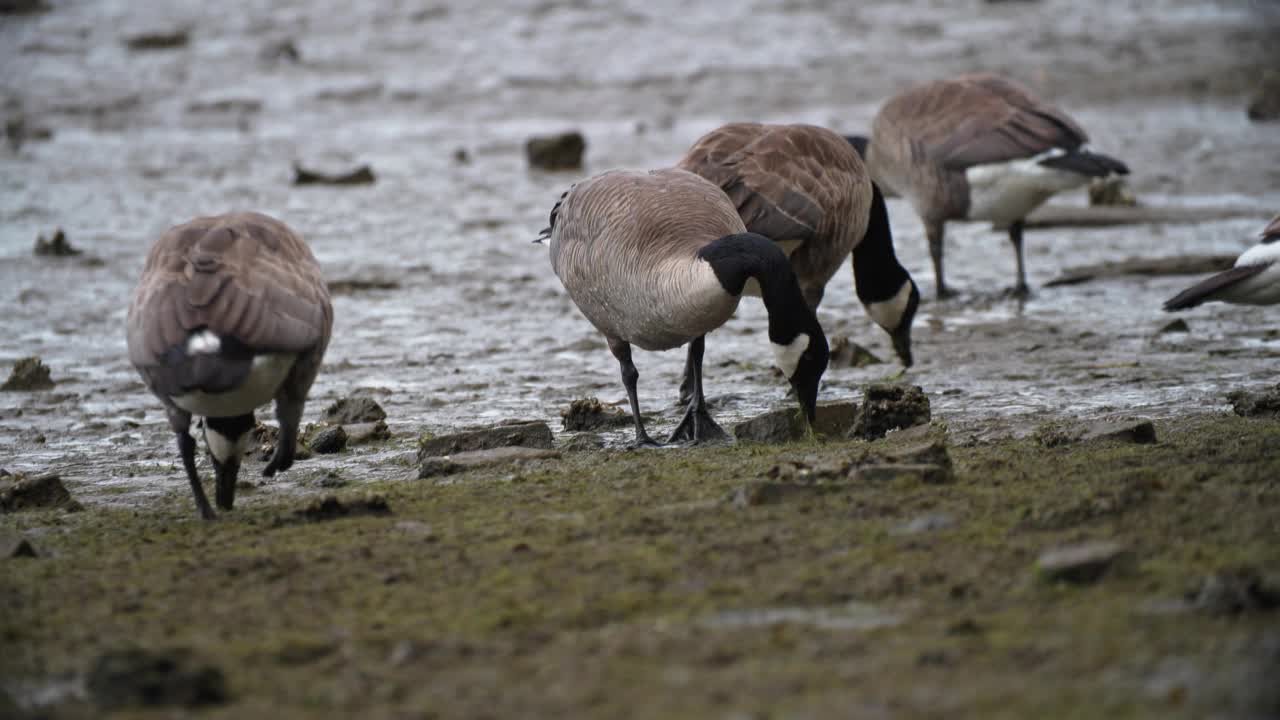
(143, 678)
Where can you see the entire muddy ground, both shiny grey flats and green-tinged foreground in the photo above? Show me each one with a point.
(614, 584)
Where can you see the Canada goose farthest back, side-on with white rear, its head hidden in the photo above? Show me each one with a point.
(979, 148)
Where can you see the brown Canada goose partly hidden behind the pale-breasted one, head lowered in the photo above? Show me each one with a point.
(807, 189)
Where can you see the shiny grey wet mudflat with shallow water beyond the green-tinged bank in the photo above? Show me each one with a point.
(478, 327)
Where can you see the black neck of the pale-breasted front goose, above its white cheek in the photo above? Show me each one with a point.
(739, 258)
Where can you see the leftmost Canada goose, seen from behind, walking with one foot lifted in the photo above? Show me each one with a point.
(231, 312)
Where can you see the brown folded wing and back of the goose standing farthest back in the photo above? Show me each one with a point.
(979, 120)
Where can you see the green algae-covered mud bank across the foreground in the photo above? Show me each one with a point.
(597, 585)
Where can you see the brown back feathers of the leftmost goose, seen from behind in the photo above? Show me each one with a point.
(243, 276)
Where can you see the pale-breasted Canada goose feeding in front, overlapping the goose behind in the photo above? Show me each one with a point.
(661, 259)
